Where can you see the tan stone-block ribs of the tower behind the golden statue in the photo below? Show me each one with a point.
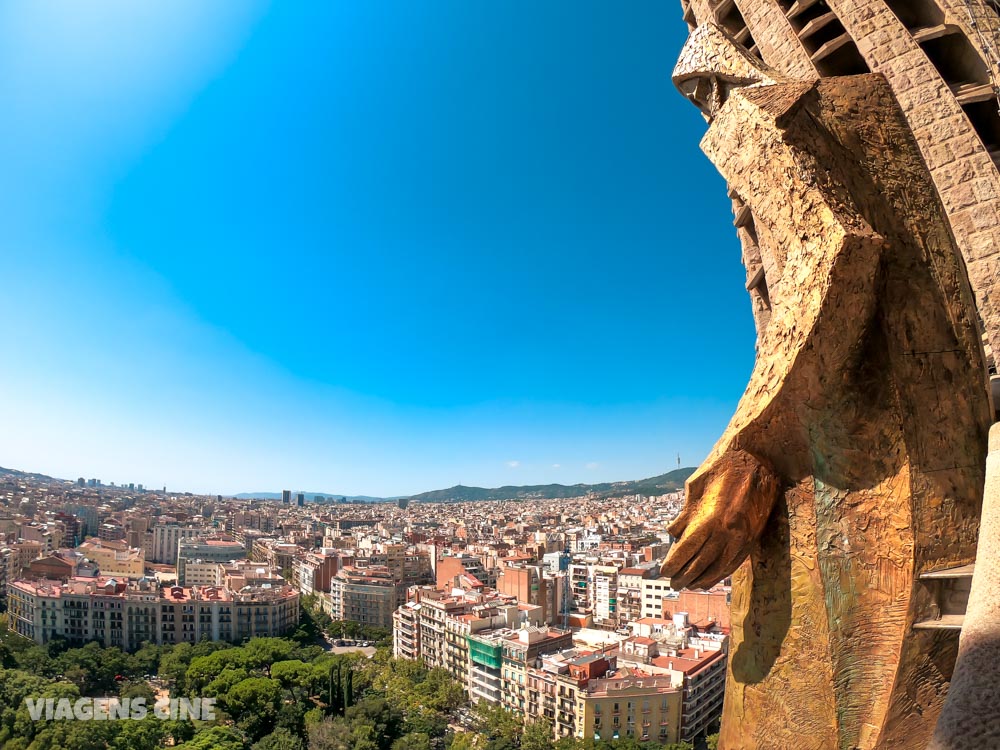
(964, 174)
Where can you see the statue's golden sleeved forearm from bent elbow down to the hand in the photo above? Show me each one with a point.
(821, 309)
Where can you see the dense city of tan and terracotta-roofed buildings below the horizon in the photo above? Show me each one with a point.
(550, 611)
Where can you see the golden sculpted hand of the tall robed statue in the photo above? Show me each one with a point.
(727, 506)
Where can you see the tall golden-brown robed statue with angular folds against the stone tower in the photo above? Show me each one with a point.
(855, 459)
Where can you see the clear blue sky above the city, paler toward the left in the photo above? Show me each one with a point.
(377, 247)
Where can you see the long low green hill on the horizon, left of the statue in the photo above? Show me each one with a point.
(669, 482)
